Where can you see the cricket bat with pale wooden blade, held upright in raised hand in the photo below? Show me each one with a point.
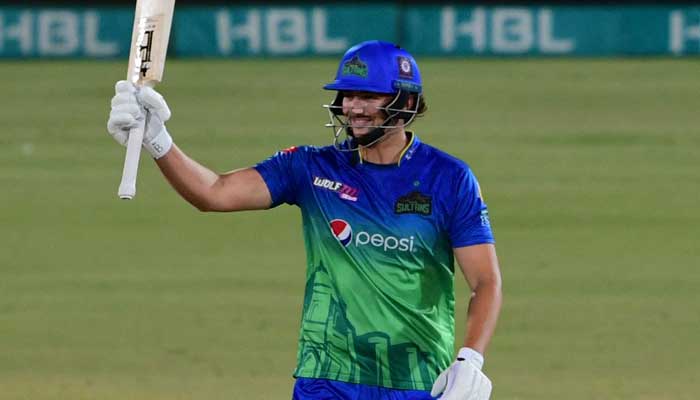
(149, 45)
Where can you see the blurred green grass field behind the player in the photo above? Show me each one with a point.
(591, 170)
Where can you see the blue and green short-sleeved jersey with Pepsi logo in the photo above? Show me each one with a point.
(379, 299)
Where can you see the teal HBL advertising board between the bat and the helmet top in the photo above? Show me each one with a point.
(281, 31)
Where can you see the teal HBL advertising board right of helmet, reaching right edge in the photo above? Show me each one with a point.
(565, 30)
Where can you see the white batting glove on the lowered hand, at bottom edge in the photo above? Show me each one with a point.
(463, 380)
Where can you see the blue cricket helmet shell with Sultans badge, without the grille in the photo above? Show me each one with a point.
(378, 67)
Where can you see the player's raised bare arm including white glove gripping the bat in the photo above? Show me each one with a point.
(242, 189)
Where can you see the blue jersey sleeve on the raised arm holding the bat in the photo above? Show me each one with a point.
(281, 175)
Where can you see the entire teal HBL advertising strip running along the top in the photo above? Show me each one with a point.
(459, 30)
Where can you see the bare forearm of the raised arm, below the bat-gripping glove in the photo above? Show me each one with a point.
(193, 181)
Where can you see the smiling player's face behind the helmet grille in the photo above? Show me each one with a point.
(362, 110)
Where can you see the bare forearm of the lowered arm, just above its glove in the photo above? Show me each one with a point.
(484, 308)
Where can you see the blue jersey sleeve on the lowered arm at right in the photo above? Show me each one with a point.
(469, 223)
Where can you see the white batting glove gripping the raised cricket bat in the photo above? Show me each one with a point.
(129, 106)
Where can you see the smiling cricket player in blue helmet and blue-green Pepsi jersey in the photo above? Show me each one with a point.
(384, 216)
